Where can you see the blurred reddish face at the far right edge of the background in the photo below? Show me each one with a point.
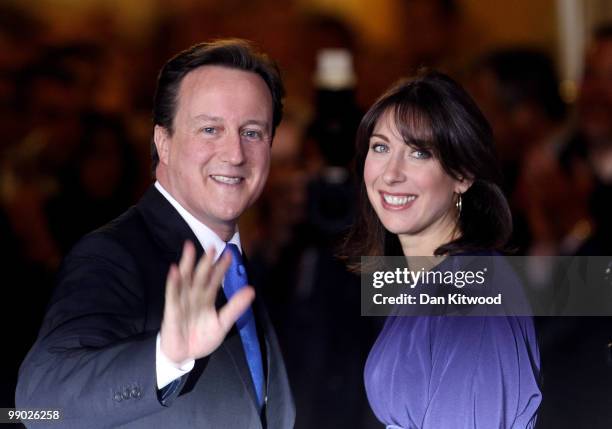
(595, 101)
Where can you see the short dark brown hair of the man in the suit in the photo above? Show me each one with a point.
(233, 53)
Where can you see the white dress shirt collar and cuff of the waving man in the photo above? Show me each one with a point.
(168, 371)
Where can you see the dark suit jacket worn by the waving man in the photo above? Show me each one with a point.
(95, 354)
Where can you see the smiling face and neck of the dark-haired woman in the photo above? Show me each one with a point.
(410, 192)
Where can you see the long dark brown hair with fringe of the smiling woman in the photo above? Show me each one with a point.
(460, 138)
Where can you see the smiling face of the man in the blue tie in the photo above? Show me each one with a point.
(216, 162)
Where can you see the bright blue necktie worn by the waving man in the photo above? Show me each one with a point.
(236, 279)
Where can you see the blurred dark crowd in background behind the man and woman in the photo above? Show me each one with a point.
(74, 154)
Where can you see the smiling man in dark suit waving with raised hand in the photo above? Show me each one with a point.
(137, 334)
